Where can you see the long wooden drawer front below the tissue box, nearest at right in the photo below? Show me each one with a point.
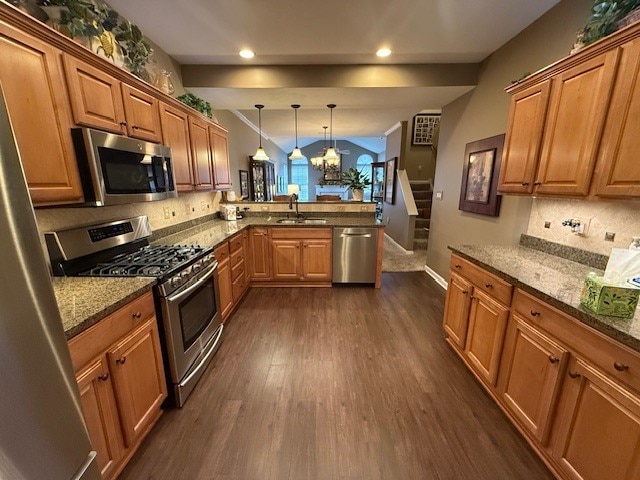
(615, 359)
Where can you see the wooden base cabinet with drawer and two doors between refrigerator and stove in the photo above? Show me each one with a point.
(121, 378)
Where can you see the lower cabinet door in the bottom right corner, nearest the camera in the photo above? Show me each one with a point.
(596, 435)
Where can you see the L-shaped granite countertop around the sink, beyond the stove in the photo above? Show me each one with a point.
(210, 234)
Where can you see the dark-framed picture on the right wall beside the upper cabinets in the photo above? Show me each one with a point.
(479, 190)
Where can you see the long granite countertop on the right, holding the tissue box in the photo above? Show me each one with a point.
(555, 280)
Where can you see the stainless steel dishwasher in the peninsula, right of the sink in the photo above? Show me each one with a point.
(354, 255)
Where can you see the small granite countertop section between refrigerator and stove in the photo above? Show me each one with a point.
(84, 301)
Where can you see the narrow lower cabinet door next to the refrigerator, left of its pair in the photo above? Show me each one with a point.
(99, 408)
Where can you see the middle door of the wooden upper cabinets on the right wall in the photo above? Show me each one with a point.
(578, 105)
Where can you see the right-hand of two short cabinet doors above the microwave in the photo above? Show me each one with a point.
(143, 114)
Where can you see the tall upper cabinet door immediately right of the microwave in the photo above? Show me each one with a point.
(175, 134)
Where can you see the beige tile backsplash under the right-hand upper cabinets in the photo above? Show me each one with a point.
(619, 217)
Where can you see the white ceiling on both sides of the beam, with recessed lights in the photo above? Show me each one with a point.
(285, 32)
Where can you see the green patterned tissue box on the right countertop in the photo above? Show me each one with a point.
(610, 300)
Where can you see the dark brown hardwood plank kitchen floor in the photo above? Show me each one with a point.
(340, 383)
